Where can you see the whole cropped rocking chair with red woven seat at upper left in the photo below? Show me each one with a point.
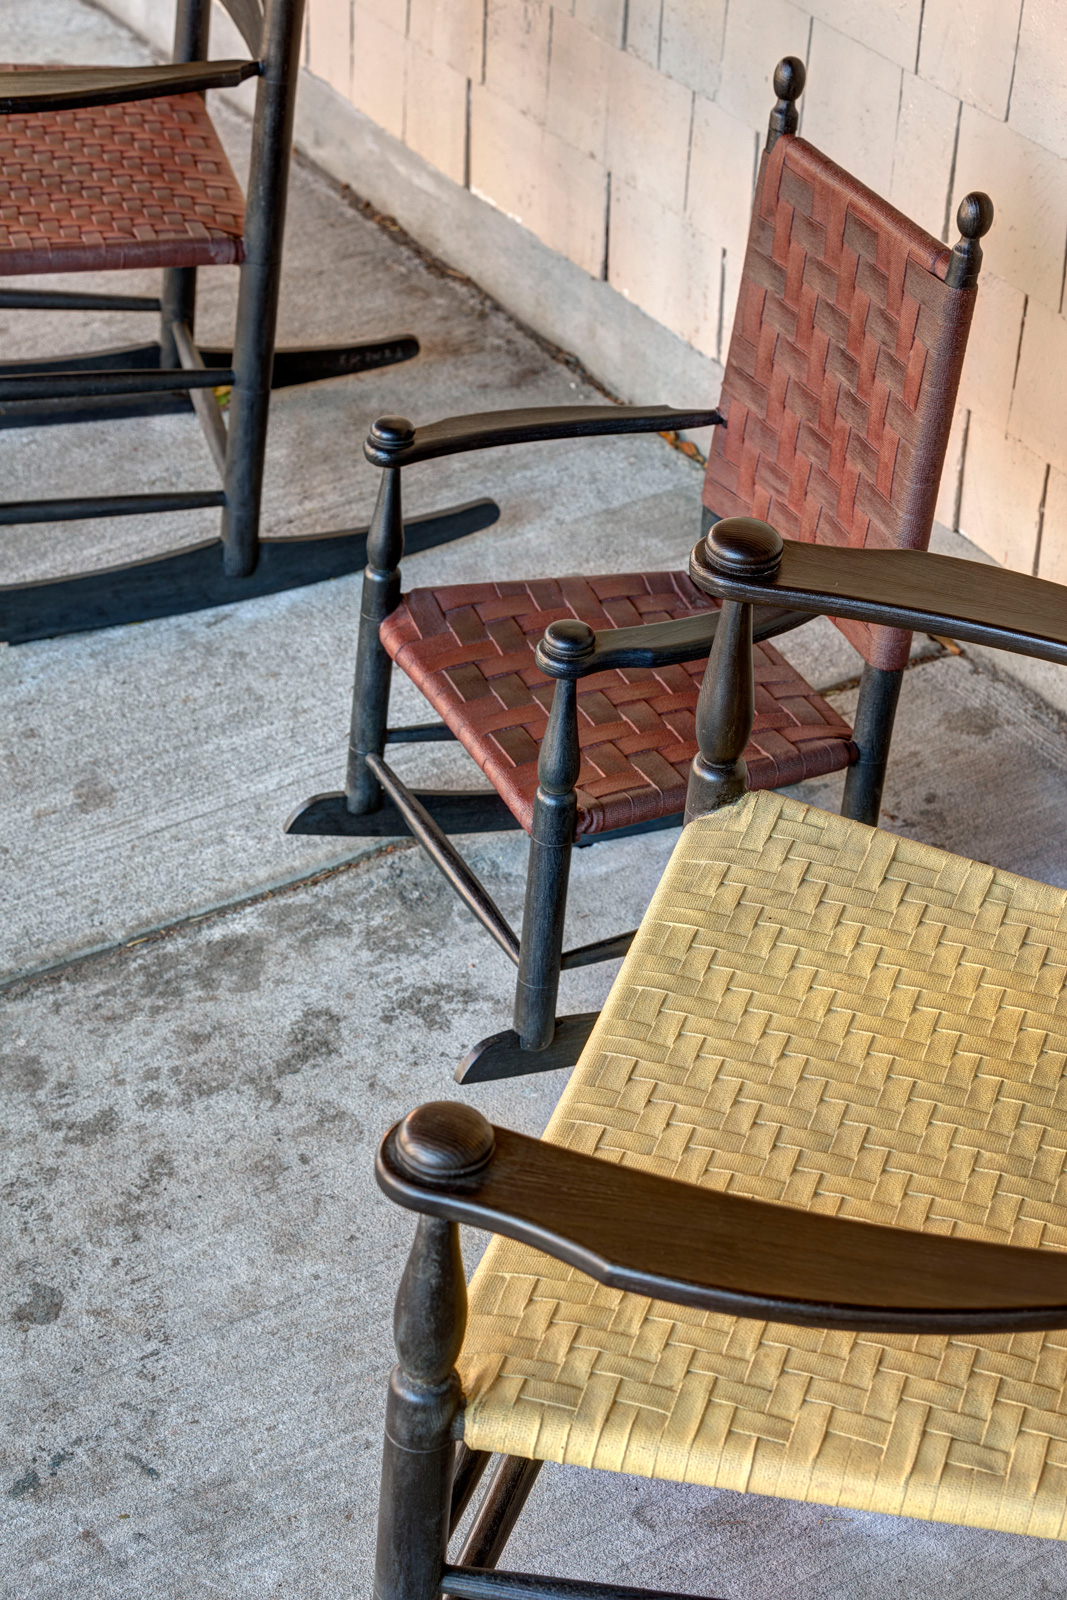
(121, 167)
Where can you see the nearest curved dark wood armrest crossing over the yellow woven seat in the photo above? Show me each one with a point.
(719, 1252)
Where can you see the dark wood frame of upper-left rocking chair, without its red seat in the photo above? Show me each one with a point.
(175, 372)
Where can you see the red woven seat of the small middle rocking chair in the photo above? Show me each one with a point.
(471, 650)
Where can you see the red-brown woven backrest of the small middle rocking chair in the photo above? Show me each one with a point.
(842, 372)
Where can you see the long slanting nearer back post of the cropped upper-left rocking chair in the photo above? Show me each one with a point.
(258, 297)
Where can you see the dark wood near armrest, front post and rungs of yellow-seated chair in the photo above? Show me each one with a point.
(642, 1234)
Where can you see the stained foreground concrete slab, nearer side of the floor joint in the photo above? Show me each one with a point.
(196, 1332)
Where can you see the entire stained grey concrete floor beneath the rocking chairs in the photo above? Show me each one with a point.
(207, 1026)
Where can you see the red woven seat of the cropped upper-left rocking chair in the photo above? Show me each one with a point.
(146, 185)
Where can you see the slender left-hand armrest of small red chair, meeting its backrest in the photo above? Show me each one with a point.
(394, 442)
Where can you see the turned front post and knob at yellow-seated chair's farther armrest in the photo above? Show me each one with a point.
(738, 546)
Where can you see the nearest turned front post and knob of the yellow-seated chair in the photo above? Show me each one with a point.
(438, 1143)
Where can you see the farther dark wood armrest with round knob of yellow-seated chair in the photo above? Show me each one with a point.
(743, 559)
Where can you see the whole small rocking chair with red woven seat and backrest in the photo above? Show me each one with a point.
(833, 422)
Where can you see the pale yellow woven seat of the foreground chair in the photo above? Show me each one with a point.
(828, 1017)
